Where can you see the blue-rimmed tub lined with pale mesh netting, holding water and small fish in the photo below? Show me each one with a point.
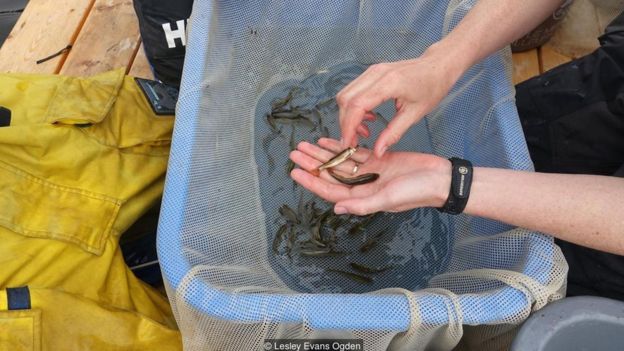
(248, 255)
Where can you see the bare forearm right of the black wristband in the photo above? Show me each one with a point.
(586, 210)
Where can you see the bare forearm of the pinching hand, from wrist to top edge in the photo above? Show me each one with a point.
(489, 26)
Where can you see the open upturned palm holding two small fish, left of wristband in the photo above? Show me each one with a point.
(407, 179)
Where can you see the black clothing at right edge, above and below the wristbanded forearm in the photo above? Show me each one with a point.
(573, 120)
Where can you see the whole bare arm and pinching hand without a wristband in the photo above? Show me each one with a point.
(418, 85)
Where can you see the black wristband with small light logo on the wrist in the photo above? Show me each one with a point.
(461, 180)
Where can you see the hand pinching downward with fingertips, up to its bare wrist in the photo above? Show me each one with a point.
(416, 86)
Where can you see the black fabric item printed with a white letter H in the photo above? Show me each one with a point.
(163, 31)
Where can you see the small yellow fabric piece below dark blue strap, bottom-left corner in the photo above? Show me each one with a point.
(20, 330)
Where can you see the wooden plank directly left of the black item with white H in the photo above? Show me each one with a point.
(108, 39)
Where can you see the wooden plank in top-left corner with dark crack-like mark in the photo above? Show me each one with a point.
(44, 28)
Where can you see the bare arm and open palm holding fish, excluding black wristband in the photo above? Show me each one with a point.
(584, 209)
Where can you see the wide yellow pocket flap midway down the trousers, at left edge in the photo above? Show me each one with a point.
(34, 207)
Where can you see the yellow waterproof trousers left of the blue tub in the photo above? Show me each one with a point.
(80, 160)
